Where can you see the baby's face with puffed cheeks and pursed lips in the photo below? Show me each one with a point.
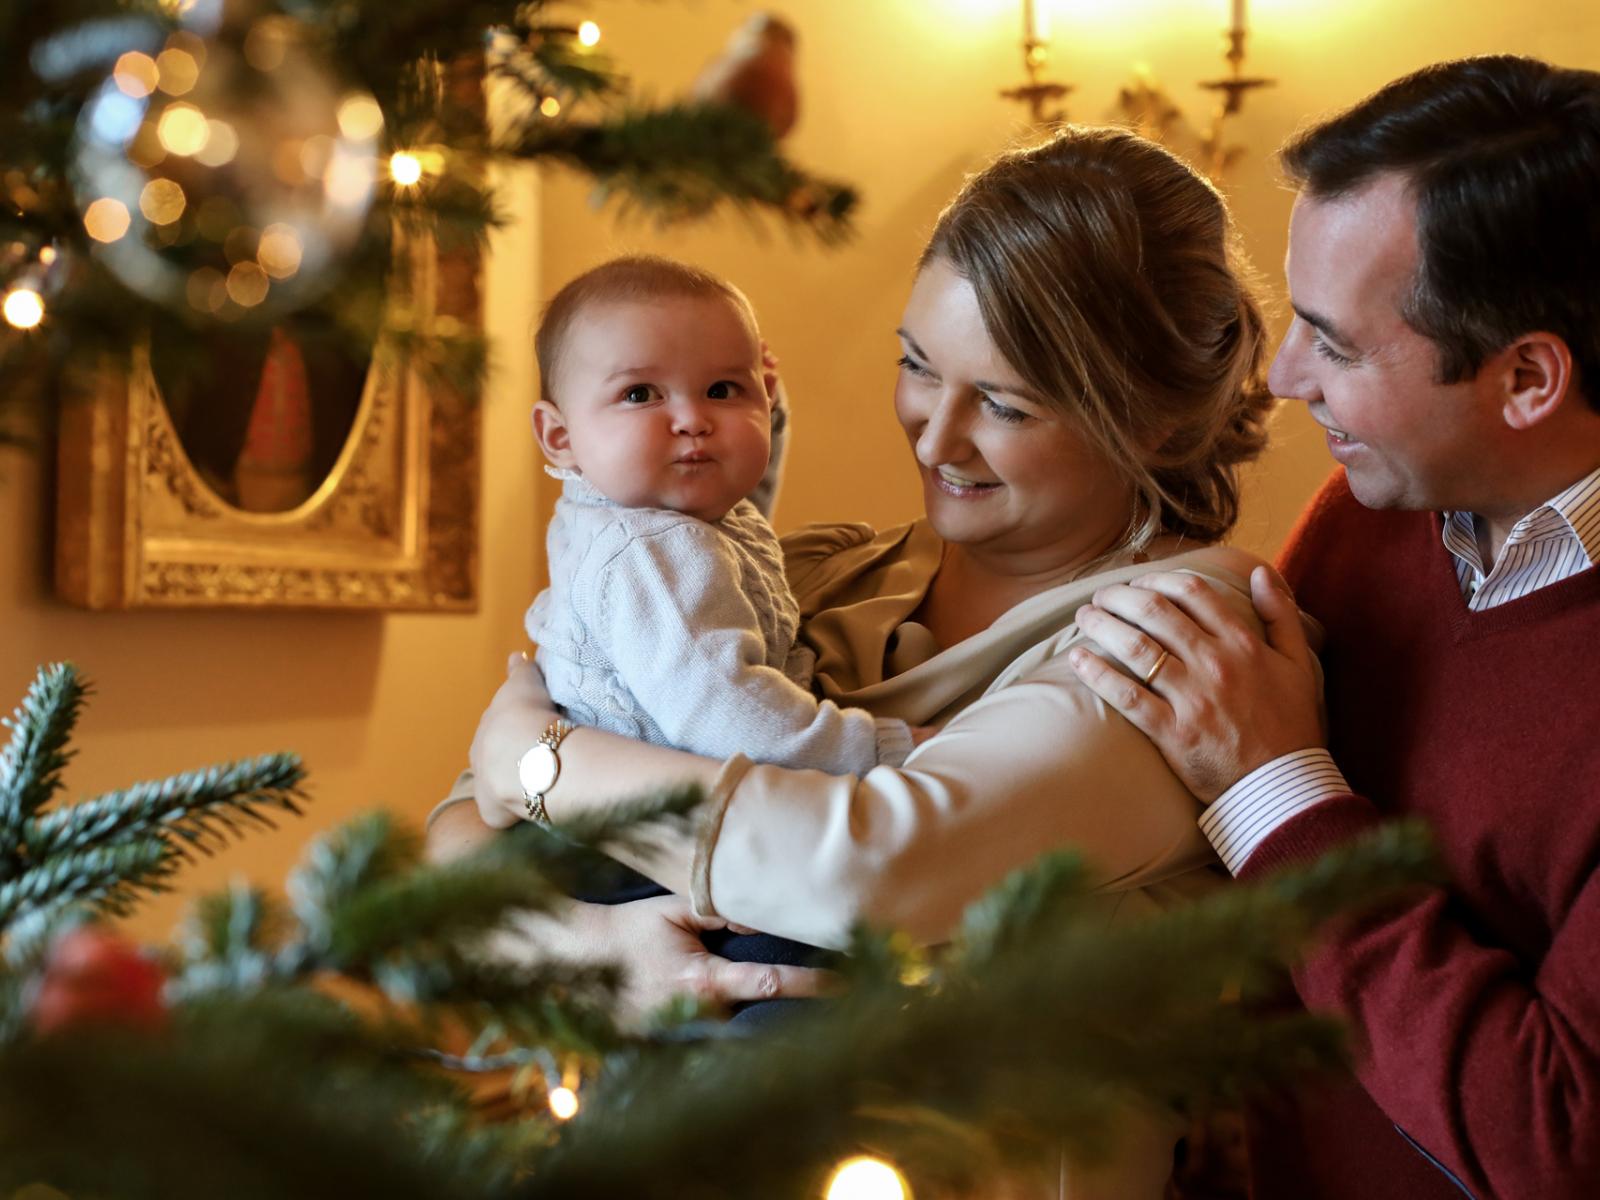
(663, 404)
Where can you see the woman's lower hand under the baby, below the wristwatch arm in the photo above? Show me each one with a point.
(657, 943)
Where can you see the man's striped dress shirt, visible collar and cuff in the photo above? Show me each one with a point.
(1553, 543)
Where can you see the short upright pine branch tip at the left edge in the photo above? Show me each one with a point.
(38, 753)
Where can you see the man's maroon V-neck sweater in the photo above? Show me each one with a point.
(1479, 1002)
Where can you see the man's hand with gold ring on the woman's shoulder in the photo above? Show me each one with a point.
(1222, 703)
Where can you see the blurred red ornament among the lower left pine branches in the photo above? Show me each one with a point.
(97, 978)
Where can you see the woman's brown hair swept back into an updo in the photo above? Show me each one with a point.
(1106, 274)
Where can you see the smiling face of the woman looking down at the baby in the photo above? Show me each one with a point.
(1002, 473)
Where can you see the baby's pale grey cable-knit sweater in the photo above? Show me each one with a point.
(682, 633)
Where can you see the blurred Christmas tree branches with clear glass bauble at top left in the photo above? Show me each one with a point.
(138, 212)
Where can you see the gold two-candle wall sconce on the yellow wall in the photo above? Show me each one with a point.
(1143, 105)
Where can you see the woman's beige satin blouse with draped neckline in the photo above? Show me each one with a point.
(1028, 759)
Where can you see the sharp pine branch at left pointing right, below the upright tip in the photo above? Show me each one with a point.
(198, 810)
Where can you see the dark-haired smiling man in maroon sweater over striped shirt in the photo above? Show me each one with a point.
(1446, 276)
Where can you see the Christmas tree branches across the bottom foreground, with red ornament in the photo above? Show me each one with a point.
(321, 1049)
